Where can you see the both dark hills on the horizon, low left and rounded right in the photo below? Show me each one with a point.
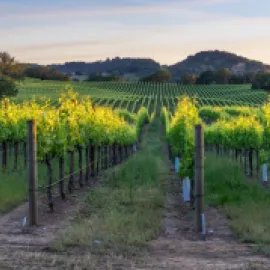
(136, 68)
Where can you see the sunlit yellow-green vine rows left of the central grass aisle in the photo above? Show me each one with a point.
(74, 142)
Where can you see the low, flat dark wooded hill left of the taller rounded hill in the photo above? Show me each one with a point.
(132, 67)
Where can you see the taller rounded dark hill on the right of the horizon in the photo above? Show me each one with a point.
(214, 60)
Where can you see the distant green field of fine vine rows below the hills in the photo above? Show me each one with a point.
(132, 96)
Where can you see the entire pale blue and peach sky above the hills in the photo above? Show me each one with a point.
(58, 31)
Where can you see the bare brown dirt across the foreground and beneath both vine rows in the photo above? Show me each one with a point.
(177, 247)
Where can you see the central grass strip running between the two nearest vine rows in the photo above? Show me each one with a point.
(126, 211)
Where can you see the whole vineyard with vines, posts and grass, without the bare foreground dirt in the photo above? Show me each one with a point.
(111, 143)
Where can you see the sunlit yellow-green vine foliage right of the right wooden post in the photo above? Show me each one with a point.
(235, 127)
